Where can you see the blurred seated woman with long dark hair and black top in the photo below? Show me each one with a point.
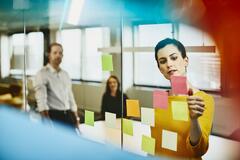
(112, 98)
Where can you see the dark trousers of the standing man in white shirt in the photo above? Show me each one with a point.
(65, 117)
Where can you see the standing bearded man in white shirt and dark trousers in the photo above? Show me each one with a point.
(54, 90)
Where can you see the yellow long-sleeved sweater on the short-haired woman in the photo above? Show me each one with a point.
(164, 120)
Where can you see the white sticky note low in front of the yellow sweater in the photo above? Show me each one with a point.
(169, 140)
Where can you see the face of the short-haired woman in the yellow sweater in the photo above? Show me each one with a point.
(171, 62)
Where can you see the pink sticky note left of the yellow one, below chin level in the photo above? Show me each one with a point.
(160, 99)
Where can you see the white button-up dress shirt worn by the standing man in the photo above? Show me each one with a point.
(54, 90)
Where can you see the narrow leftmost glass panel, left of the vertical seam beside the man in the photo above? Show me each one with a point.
(12, 50)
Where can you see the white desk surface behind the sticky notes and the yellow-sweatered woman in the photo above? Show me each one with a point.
(219, 148)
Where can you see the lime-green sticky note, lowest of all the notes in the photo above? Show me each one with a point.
(148, 144)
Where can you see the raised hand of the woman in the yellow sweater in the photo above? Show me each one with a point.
(196, 106)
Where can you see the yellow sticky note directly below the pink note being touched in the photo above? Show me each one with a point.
(180, 110)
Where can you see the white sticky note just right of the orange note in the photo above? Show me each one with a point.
(148, 116)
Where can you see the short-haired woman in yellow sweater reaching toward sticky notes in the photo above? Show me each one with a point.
(192, 135)
